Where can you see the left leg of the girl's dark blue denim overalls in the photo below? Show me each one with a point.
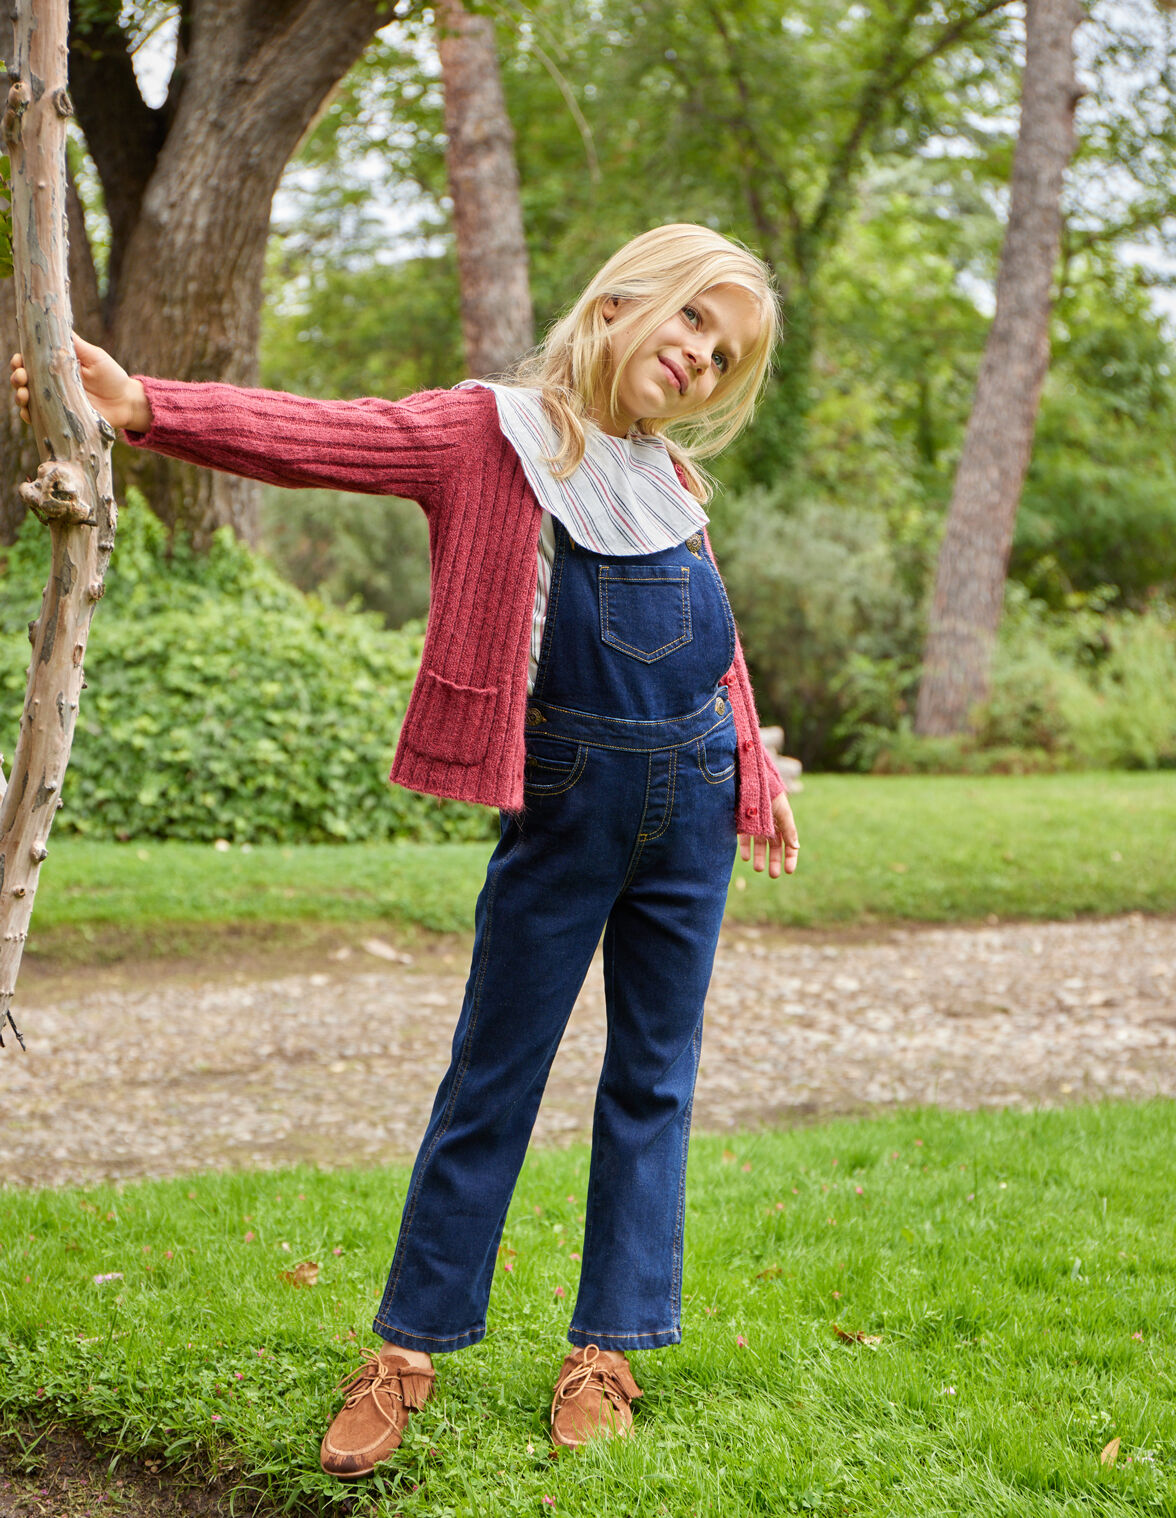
(538, 924)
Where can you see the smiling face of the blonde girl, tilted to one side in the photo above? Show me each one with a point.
(679, 365)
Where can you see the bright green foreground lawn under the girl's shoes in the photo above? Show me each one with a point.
(1014, 1273)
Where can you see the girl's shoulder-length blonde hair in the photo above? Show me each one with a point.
(664, 271)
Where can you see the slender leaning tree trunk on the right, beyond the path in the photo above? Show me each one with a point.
(975, 553)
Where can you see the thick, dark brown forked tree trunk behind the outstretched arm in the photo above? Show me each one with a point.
(189, 189)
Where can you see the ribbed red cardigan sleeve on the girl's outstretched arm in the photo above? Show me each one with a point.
(371, 446)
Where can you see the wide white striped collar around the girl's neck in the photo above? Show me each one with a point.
(623, 500)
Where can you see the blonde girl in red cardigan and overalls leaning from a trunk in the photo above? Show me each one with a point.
(582, 672)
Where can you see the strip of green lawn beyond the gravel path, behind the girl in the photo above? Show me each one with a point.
(873, 849)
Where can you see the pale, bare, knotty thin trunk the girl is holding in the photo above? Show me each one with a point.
(74, 491)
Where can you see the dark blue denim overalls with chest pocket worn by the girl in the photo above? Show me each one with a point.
(629, 828)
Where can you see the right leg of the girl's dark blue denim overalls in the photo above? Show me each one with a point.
(659, 953)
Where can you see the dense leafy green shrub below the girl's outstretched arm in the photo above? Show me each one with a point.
(224, 704)
